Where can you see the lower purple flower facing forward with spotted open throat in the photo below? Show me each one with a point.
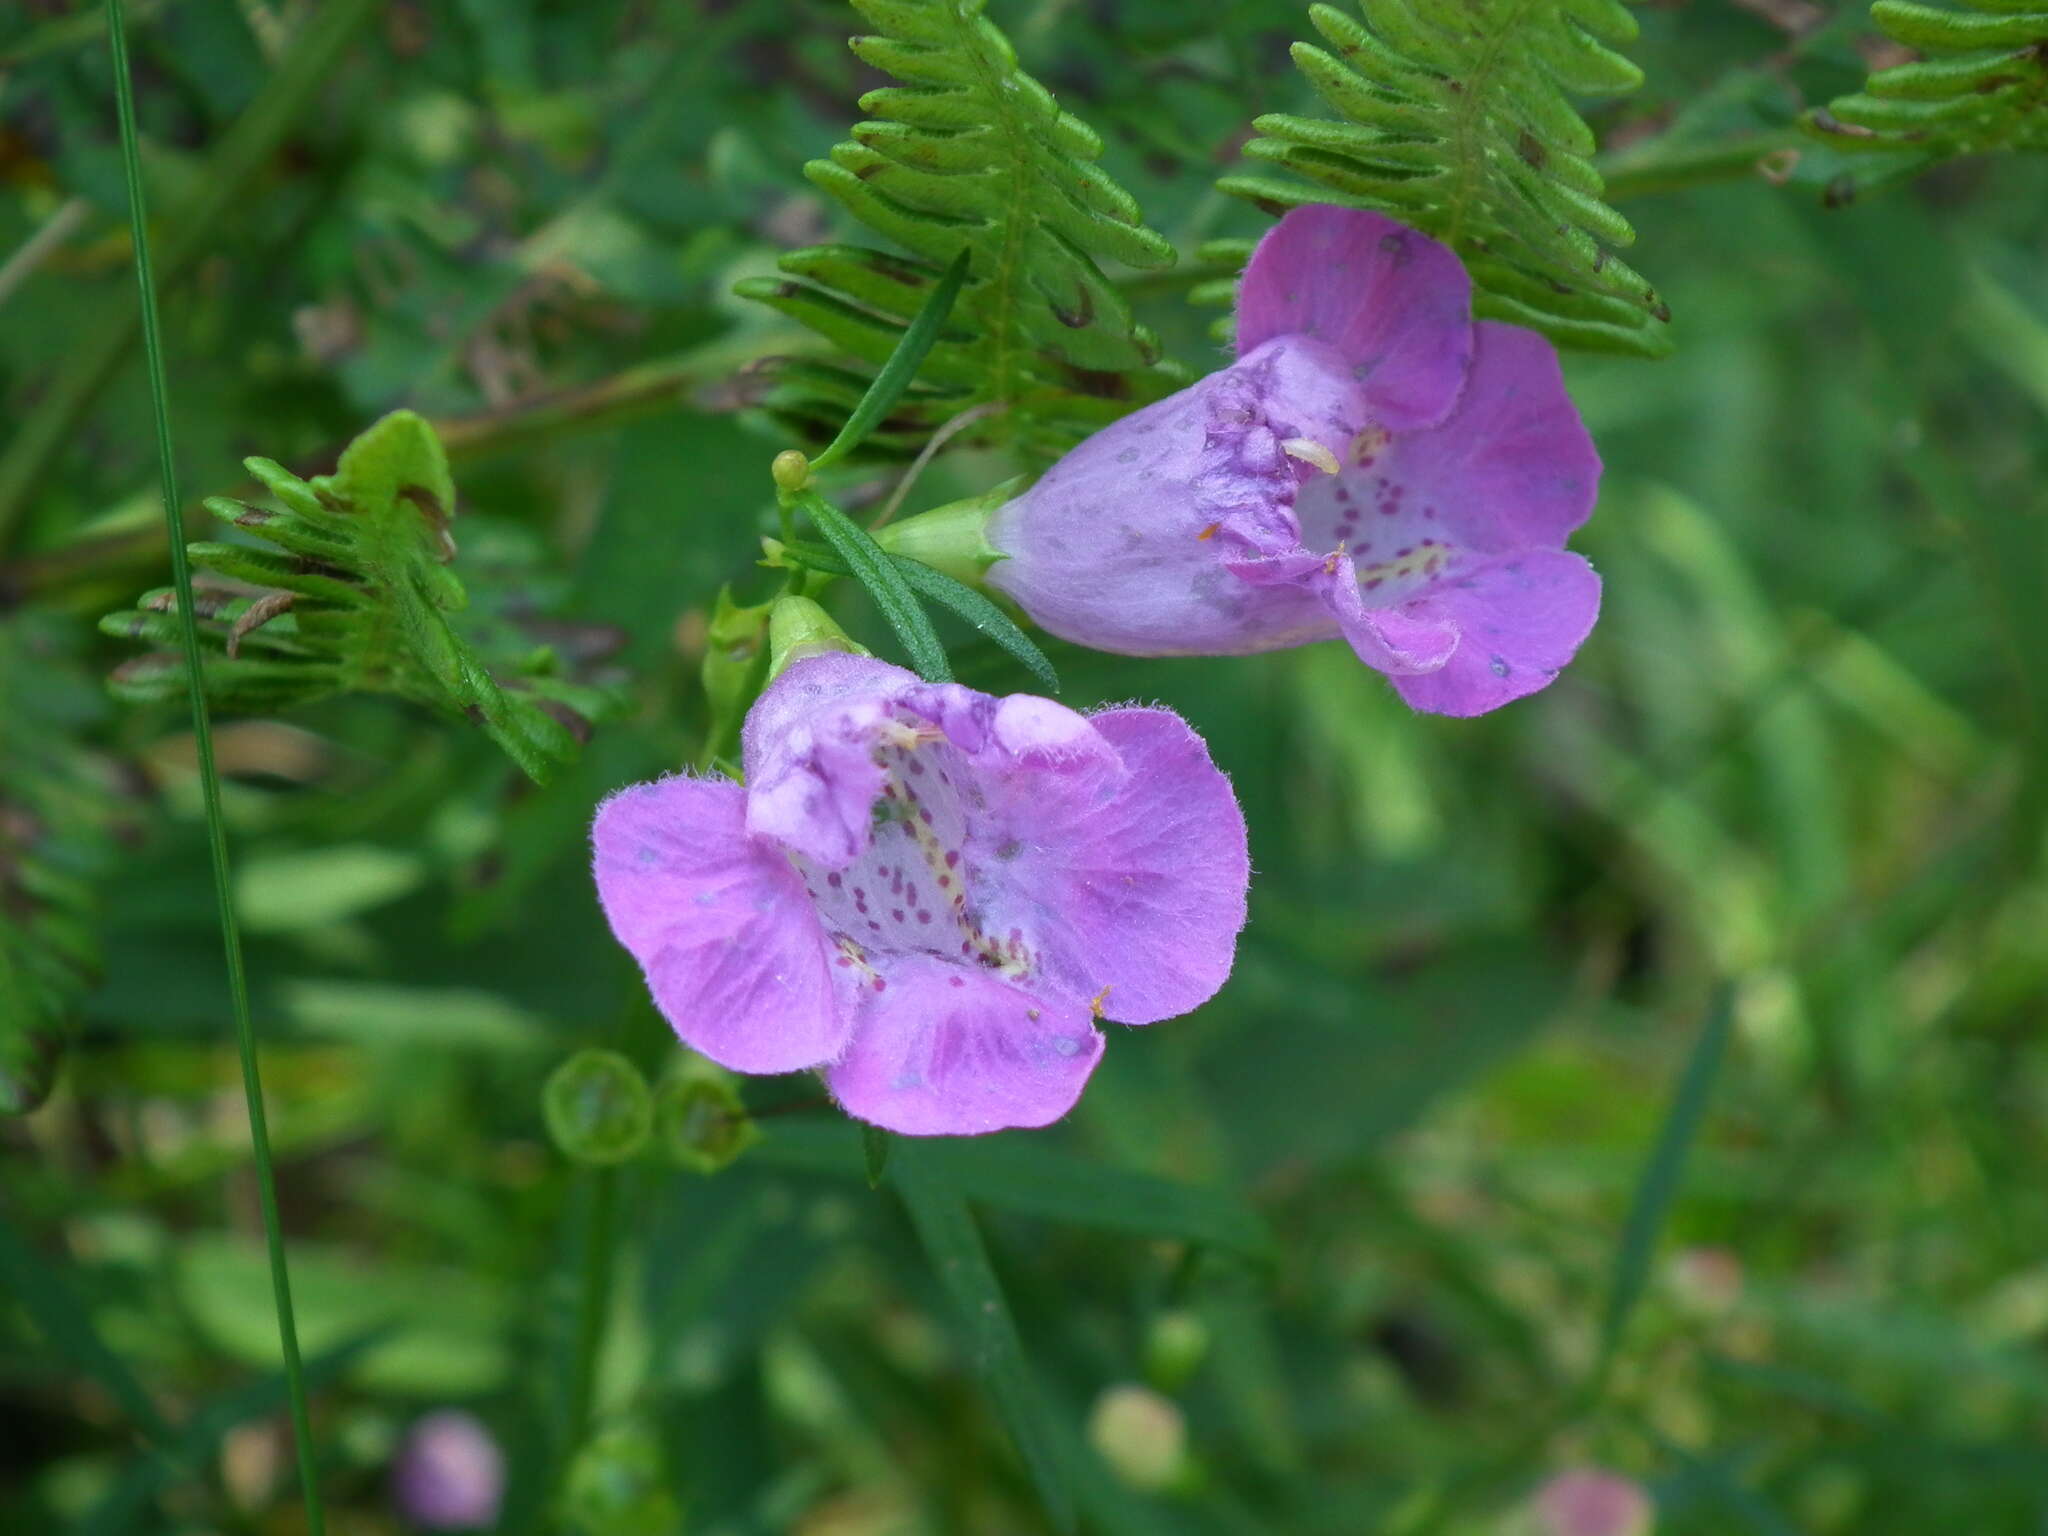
(929, 892)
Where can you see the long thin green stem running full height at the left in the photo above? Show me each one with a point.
(210, 781)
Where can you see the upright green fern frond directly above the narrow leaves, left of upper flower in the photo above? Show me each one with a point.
(972, 155)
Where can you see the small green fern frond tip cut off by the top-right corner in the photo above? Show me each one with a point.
(1981, 83)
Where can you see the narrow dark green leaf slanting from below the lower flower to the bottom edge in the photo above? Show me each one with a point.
(951, 1240)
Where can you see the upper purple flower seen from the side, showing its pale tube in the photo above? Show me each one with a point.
(1375, 466)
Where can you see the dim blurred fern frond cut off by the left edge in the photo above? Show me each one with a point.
(60, 812)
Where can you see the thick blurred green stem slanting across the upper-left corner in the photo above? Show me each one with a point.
(243, 153)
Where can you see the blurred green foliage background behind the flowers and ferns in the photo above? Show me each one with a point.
(1377, 1232)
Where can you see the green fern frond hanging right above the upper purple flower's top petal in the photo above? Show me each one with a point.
(1459, 120)
